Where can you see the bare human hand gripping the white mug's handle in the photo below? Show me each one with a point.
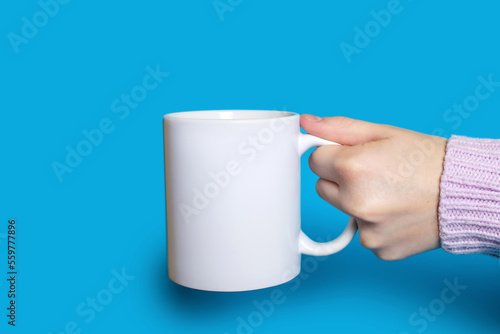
(387, 178)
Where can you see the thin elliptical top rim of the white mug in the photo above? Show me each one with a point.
(227, 115)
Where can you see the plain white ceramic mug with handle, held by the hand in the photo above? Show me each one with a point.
(233, 199)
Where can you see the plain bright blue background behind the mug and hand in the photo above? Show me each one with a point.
(109, 212)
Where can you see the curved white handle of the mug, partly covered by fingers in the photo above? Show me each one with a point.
(306, 245)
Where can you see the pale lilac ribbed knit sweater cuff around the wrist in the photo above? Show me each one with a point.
(469, 204)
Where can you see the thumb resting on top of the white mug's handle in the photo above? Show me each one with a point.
(343, 130)
